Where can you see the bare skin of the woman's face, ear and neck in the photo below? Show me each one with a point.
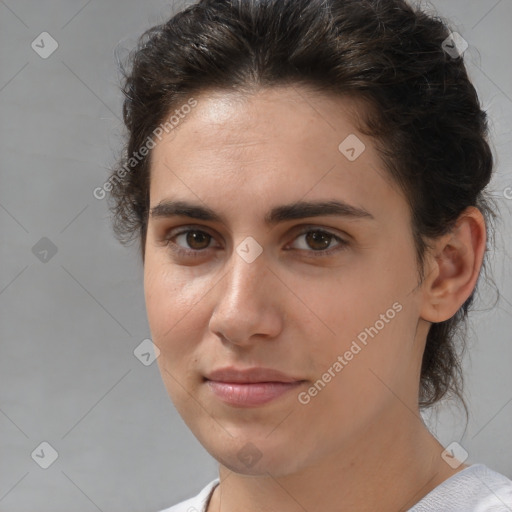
(359, 444)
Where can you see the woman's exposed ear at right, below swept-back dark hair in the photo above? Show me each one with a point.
(454, 265)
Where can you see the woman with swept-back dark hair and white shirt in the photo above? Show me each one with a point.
(306, 179)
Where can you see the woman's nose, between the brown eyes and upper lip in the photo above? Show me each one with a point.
(248, 304)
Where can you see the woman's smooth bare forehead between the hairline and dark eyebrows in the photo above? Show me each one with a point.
(282, 140)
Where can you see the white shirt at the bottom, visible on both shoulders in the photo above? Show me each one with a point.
(474, 489)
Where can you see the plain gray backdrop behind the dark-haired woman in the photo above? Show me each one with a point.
(70, 323)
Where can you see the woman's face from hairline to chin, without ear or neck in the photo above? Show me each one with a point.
(327, 297)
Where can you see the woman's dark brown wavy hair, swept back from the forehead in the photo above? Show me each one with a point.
(425, 116)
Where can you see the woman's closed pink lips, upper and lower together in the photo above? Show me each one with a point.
(250, 387)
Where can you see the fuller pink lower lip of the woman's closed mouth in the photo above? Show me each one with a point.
(250, 395)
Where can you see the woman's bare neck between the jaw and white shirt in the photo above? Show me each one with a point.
(388, 467)
